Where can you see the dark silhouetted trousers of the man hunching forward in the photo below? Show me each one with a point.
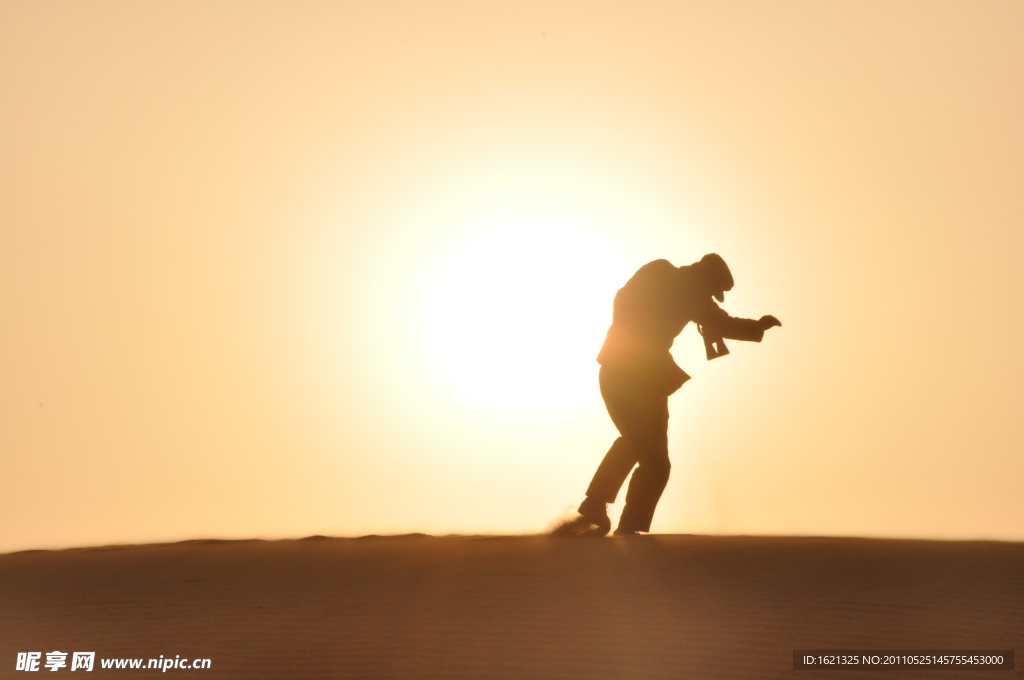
(641, 413)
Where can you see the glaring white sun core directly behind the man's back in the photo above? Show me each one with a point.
(517, 316)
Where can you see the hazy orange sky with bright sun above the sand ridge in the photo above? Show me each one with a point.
(273, 270)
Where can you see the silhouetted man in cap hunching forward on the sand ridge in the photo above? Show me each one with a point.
(638, 374)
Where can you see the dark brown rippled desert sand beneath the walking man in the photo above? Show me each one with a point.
(666, 607)
